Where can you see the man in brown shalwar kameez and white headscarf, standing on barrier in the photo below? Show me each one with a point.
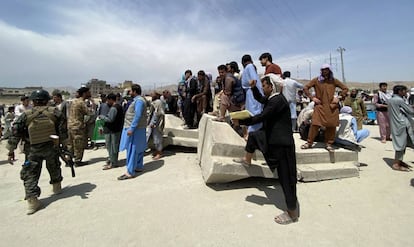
(326, 111)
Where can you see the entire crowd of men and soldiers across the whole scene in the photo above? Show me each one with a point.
(277, 105)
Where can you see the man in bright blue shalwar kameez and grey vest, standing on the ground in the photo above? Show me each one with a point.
(133, 137)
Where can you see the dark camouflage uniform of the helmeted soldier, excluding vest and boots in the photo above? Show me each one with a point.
(36, 153)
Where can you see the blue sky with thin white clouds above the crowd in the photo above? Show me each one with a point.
(152, 42)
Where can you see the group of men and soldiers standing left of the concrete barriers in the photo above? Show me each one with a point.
(125, 123)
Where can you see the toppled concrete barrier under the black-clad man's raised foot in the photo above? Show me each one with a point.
(219, 144)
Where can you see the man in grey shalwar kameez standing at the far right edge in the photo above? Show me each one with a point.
(401, 120)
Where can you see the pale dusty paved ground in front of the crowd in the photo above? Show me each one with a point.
(169, 205)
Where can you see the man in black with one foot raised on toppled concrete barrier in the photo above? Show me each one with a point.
(275, 140)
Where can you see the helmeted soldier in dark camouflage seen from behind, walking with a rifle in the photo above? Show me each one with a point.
(35, 126)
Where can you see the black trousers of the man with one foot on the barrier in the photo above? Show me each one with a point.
(279, 158)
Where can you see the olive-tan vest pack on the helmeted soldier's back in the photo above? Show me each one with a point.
(40, 124)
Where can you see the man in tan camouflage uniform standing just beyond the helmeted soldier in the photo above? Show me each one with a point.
(77, 125)
